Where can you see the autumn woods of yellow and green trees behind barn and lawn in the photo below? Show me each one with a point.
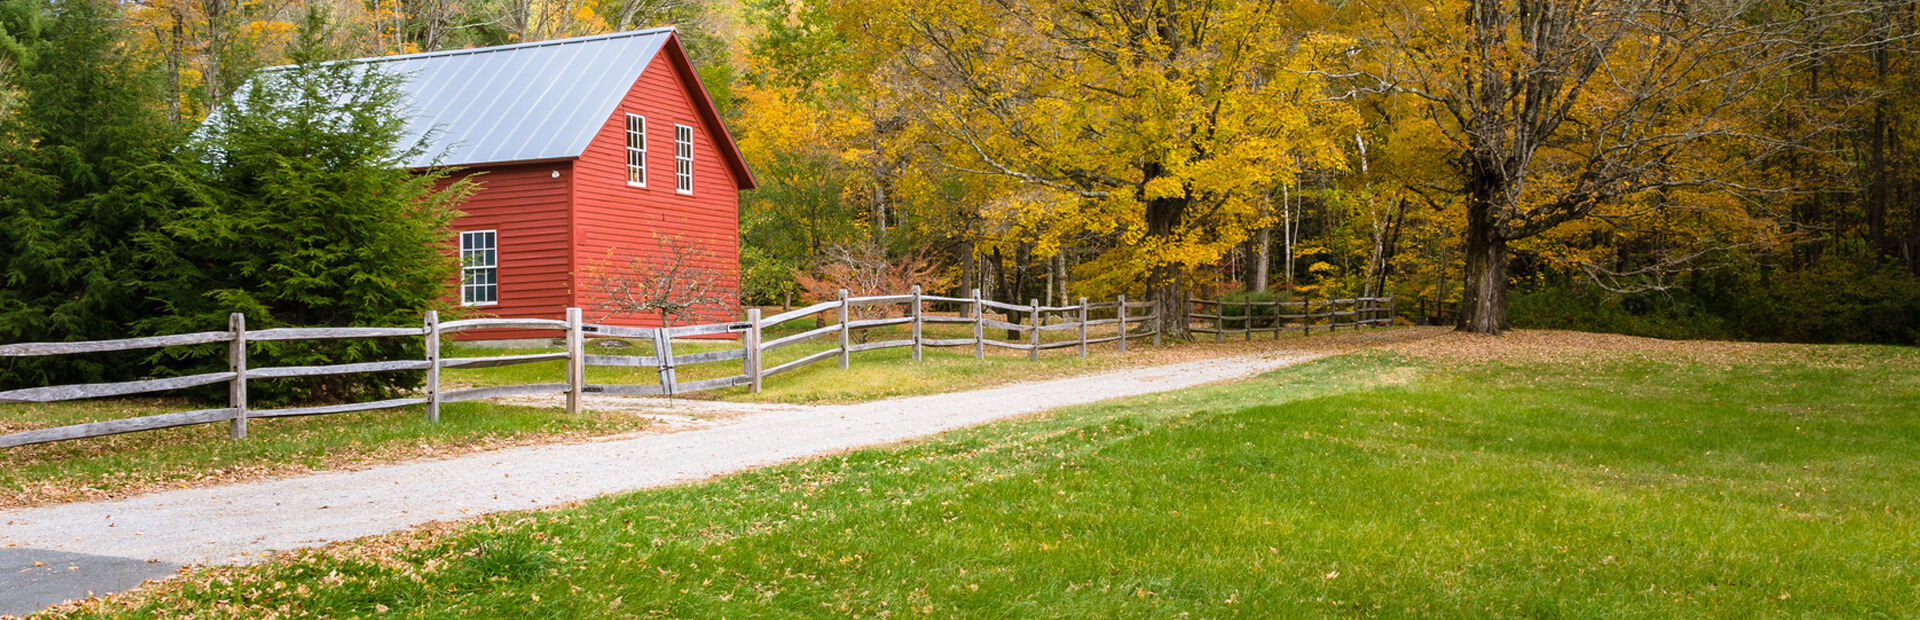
(1679, 170)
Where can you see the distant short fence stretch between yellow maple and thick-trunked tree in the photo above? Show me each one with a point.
(1305, 318)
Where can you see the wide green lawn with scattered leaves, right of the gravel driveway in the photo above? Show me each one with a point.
(1370, 485)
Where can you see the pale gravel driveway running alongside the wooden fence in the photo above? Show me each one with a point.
(241, 523)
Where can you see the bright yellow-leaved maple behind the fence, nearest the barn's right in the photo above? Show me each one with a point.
(1161, 124)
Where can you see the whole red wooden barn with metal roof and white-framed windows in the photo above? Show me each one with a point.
(581, 147)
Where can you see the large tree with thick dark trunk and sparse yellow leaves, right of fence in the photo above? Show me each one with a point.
(1606, 112)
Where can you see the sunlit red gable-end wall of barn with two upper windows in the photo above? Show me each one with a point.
(619, 218)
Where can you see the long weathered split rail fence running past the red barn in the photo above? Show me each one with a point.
(1074, 320)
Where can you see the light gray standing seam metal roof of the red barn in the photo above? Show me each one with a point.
(539, 101)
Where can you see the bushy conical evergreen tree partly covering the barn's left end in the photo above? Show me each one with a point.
(299, 212)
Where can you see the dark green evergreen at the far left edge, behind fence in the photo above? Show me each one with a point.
(72, 262)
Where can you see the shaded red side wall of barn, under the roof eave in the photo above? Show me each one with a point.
(529, 208)
